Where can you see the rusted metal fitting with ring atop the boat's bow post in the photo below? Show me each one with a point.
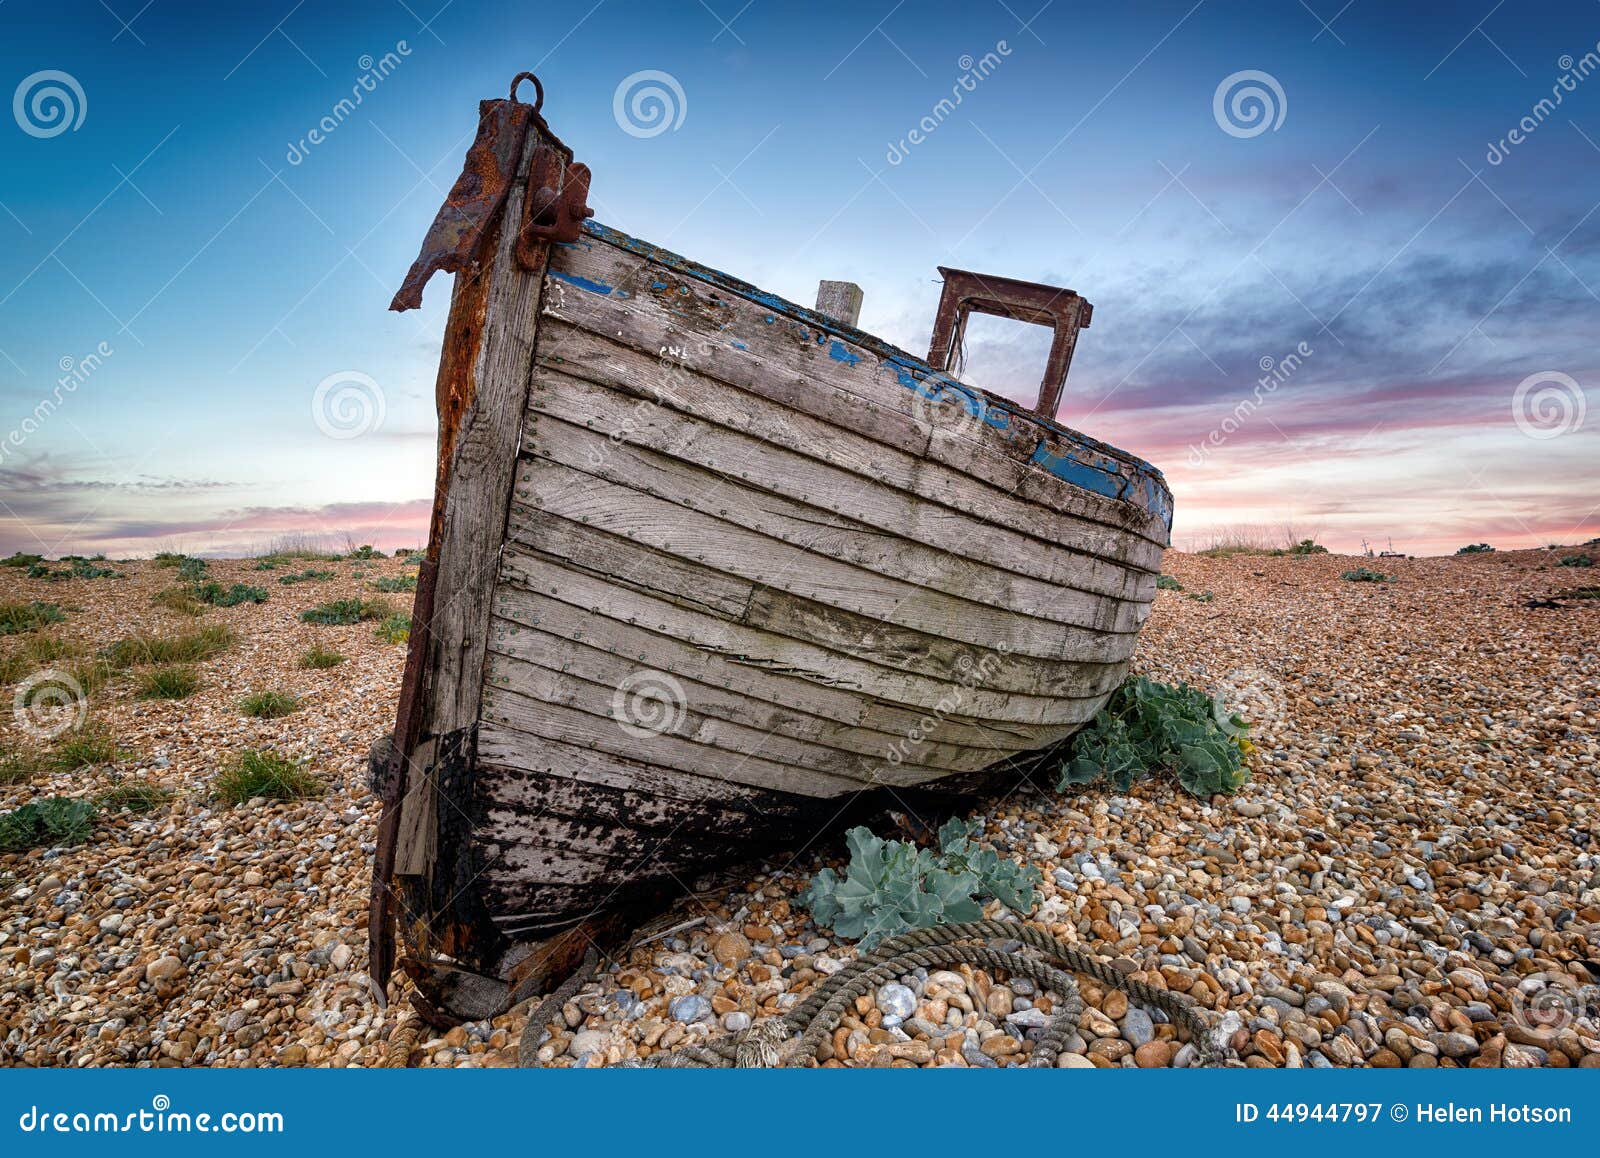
(554, 210)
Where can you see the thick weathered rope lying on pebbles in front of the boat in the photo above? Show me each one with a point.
(796, 1037)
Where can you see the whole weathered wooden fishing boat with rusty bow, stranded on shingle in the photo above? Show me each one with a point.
(710, 572)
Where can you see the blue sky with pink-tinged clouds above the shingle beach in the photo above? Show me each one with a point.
(1345, 258)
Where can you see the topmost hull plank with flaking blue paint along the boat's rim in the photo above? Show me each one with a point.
(727, 332)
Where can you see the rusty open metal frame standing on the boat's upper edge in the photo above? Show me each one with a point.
(967, 293)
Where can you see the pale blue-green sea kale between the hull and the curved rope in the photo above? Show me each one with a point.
(894, 887)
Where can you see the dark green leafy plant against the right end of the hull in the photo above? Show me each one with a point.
(1151, 727)
